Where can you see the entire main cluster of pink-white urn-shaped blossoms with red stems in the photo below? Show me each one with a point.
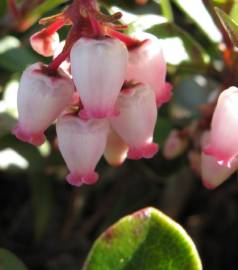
(103, 90)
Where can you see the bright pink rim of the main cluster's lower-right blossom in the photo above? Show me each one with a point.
(147, 151)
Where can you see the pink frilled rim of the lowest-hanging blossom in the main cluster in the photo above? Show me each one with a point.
(77, 179)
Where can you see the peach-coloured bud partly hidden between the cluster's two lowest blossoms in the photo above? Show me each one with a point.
(116, 149)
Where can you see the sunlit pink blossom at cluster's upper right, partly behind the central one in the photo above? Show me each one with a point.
(146, 64)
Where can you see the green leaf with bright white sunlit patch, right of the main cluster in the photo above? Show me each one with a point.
(179, 46)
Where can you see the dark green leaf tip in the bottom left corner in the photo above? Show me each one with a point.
(9, 261)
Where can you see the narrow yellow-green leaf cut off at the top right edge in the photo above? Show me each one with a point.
(230, 26)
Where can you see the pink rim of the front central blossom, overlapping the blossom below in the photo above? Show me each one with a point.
(98, 114)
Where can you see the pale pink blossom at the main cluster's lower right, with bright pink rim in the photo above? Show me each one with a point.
(136, 121)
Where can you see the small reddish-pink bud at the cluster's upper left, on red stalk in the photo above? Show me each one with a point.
(43, 43)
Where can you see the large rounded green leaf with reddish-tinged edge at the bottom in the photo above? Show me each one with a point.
(146, 240)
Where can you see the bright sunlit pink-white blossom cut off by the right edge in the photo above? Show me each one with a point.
(223, 144)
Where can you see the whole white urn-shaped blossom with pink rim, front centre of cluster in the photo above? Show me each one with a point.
(98, 67)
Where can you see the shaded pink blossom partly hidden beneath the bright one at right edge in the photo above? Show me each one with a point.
(214, 174)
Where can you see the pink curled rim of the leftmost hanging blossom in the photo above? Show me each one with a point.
(35, 139)
